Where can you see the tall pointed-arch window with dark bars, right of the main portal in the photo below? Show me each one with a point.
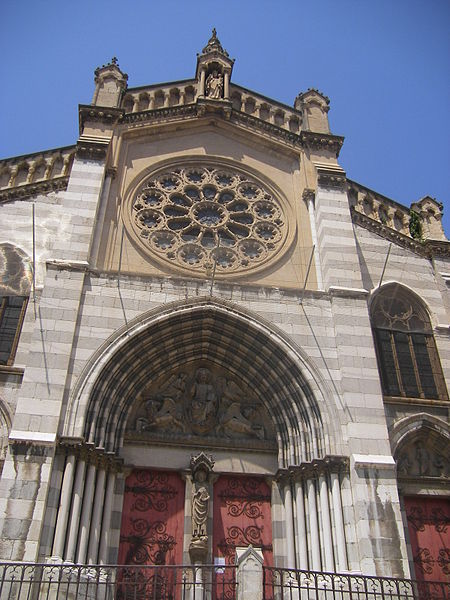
(406, 351)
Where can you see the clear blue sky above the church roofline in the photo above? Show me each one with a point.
(384, 65)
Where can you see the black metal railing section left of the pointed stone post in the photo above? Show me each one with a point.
(33, 581)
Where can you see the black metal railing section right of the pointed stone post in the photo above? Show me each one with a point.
(288, 584)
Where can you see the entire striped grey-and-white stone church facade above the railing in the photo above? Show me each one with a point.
(211, 338)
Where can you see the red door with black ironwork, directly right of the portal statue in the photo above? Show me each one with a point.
(242, 517)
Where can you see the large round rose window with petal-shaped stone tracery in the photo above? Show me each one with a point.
(204, 217)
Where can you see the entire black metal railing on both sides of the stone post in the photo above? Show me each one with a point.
(33, 581)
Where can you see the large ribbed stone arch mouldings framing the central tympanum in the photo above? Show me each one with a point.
(218, 333)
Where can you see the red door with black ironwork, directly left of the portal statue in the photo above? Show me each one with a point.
(151, 533)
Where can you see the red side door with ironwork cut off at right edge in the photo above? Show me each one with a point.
(429, 533)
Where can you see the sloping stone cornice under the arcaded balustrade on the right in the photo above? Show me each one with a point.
(427, 248)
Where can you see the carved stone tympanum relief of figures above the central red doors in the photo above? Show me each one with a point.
(200, 402)
